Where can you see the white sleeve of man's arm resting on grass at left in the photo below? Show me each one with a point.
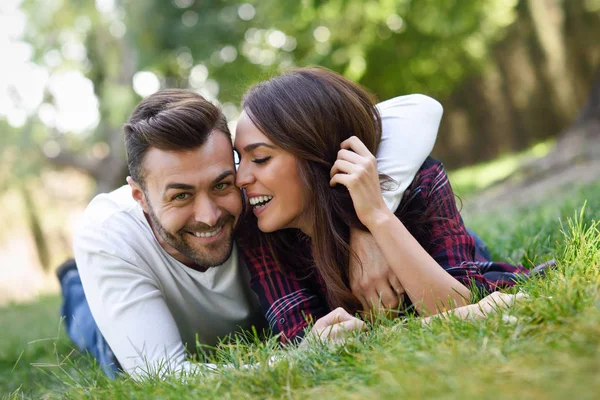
(128, 306)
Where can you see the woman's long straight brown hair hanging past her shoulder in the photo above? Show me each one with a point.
(309, 112)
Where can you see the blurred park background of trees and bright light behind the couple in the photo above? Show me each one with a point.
(511, 75)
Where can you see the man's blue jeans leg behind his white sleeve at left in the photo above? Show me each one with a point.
(80, 324)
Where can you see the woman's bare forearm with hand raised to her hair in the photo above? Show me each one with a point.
(430, 288)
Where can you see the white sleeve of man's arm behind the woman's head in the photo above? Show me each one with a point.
(410, 126)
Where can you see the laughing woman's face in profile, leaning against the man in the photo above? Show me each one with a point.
(271, 179)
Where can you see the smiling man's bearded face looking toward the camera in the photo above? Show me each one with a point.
(192, 201)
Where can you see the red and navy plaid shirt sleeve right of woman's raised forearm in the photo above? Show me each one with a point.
(454, 248)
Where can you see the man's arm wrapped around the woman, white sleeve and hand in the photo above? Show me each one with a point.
(410, 125)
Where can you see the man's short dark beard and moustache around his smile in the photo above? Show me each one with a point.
(211, 255)
